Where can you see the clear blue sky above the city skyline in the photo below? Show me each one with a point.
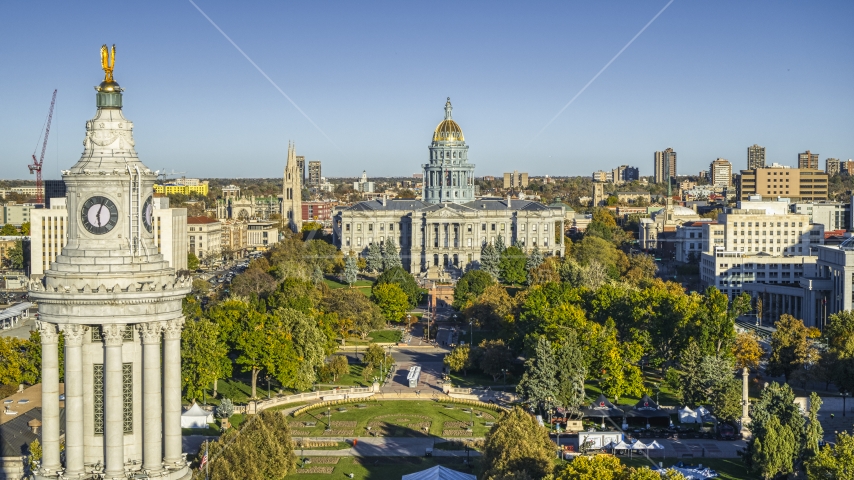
(706, 78)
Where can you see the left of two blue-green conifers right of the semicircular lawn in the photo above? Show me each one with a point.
(539, 384)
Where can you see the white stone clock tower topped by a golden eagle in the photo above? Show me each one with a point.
(117, 303)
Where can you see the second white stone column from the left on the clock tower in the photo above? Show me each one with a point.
(74, 334)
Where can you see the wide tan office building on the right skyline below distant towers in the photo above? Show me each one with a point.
(799, 185)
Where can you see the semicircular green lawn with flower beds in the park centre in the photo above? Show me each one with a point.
(399, 418)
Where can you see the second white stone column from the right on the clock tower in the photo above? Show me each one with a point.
(152, 446)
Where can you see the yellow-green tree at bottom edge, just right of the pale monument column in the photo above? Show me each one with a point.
(774, 452)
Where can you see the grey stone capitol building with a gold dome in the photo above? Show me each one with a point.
(446, 228)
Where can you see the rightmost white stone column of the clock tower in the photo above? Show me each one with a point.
(172, 391)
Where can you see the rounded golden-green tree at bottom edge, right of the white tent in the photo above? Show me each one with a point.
(517, 445)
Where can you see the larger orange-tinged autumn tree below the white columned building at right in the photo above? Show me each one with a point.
(791, 347)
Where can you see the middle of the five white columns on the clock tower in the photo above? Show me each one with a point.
(113, 401)
